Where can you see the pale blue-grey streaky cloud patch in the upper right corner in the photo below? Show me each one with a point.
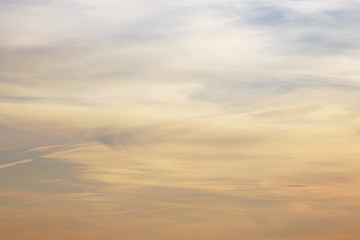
(323, 32)
